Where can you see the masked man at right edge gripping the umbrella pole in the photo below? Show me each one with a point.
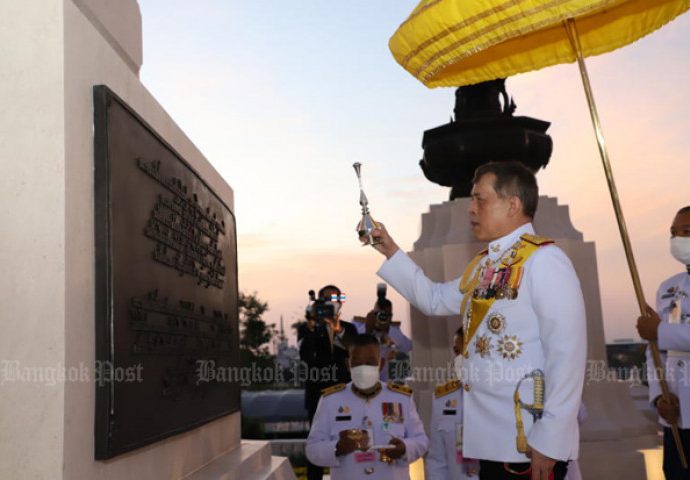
(670, 326)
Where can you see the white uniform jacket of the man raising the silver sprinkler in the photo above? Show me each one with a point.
(543, 328)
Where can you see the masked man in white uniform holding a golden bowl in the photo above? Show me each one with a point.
(366, 413)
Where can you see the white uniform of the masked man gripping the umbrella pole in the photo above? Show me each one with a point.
(673, 307)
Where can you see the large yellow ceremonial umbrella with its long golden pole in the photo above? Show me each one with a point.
(451, 43)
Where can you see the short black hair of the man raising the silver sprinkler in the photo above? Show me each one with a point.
(513, 179)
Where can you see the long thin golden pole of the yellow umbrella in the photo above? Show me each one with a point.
(659, 368)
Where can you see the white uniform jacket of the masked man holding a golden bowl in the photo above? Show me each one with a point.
(391, 413)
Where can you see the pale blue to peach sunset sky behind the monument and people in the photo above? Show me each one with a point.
(283, 97)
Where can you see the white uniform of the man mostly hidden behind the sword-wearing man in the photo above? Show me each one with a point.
(445, 460)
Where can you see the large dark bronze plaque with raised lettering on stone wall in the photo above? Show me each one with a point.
(166, 287)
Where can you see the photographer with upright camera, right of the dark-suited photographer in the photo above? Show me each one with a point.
(394, 344)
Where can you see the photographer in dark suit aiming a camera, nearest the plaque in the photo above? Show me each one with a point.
(324, 340)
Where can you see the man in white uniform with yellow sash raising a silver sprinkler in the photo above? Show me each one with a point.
(523, 315)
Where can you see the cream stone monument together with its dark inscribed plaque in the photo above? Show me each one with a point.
(62, 312)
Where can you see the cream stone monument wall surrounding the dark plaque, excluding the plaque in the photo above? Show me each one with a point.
(54, 52)
